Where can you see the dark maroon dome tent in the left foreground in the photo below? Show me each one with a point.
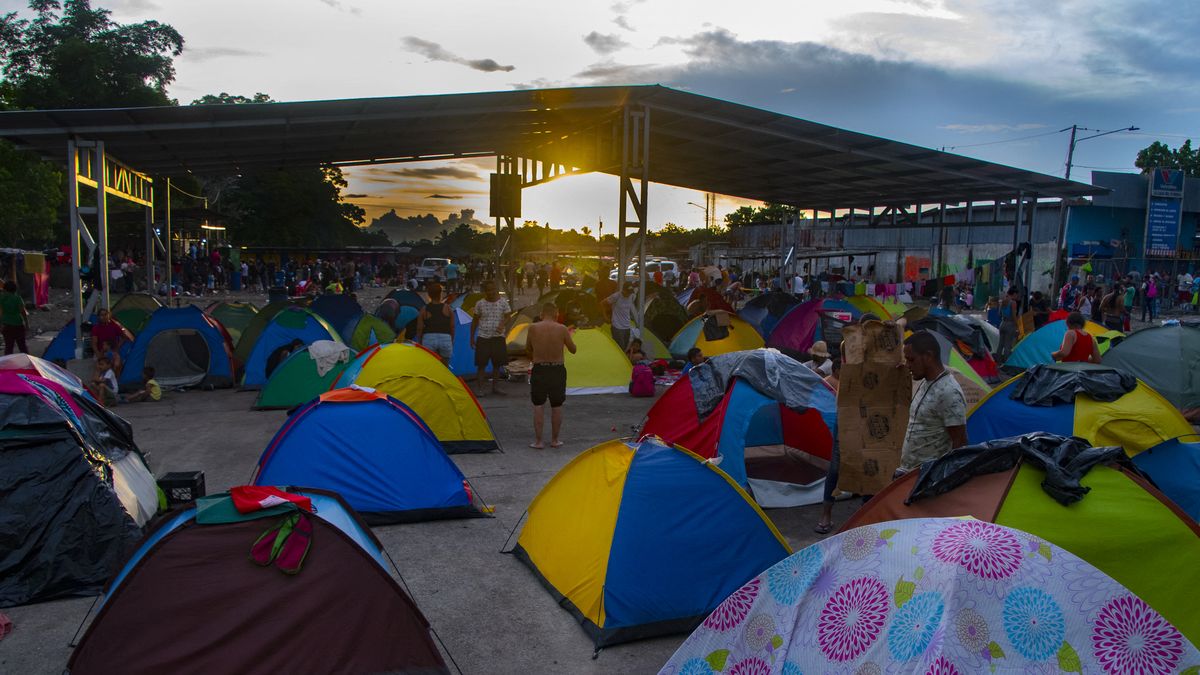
(191, 601)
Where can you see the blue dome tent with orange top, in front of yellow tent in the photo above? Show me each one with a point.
(371, 450)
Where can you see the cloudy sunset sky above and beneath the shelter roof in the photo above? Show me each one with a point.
(995, 80)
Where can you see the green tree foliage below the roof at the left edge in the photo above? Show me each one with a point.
(32, 193)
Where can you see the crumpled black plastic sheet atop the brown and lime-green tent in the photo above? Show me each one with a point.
(1066, 461)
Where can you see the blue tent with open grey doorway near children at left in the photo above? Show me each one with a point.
(185, 347)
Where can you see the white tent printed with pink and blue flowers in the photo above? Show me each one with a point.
(934, 596)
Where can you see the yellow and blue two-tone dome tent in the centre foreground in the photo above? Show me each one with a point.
(645, 540)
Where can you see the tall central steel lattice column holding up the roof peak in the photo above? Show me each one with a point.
(635, 166)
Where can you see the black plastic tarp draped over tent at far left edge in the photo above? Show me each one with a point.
(63, 529)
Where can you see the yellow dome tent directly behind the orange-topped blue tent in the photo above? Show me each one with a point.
(418, 379)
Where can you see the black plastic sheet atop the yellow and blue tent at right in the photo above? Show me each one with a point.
(1047, 385)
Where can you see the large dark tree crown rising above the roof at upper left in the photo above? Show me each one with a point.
(71, 56)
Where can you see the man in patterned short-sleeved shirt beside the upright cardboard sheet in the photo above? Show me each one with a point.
(938, 416)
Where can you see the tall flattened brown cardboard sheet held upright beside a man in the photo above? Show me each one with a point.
(873, 407)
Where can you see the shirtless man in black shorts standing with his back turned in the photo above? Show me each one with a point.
(548, 380)
